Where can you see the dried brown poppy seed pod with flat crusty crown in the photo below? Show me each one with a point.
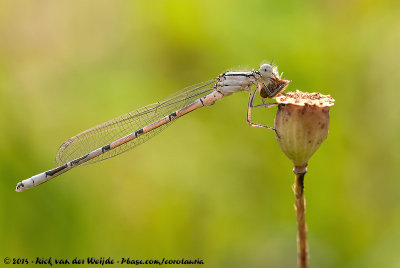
(301, 125)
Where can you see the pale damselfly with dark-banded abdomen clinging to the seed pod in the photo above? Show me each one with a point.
(132, 129)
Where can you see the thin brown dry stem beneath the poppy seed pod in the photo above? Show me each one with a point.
(300, 207)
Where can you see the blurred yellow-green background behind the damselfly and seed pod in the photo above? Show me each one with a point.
(208, 187)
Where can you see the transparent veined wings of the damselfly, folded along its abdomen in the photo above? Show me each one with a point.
(105, 133)
